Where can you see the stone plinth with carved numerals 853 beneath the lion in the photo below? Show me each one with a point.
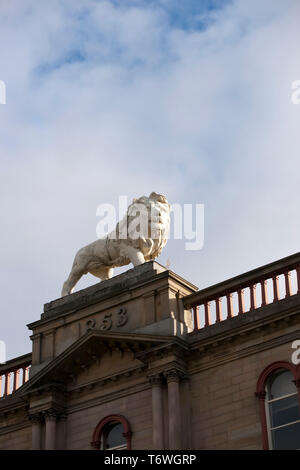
(145, 299)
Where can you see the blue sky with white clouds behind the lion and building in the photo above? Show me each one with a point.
(189, 98)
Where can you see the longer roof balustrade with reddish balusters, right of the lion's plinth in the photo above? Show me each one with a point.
(247, 292)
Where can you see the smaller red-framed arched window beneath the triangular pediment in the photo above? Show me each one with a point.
(112, 433)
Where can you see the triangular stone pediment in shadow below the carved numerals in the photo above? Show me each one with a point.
(89, 351)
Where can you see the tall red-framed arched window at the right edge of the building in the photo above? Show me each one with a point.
(279, 406)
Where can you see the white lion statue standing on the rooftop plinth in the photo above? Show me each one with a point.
(139, 237)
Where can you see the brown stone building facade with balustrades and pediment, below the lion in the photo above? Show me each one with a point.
(147, 361)
